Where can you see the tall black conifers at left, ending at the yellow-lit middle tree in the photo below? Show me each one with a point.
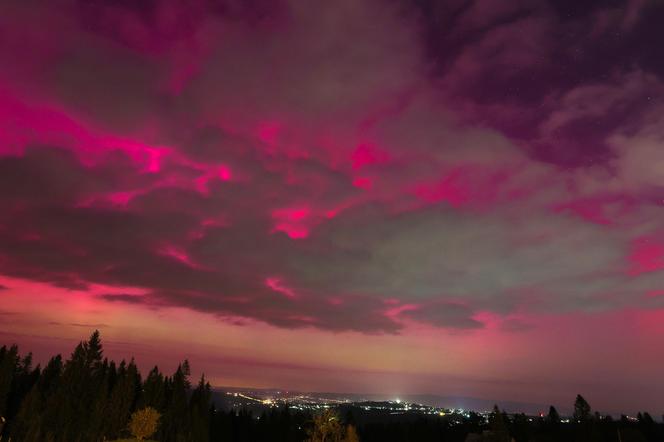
(88, 398)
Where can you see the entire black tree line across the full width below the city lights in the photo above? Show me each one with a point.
(88, 398)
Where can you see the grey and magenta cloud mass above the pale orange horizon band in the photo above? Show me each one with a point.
(460, 214)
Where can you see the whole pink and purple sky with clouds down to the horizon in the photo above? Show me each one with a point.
(458, 197)
